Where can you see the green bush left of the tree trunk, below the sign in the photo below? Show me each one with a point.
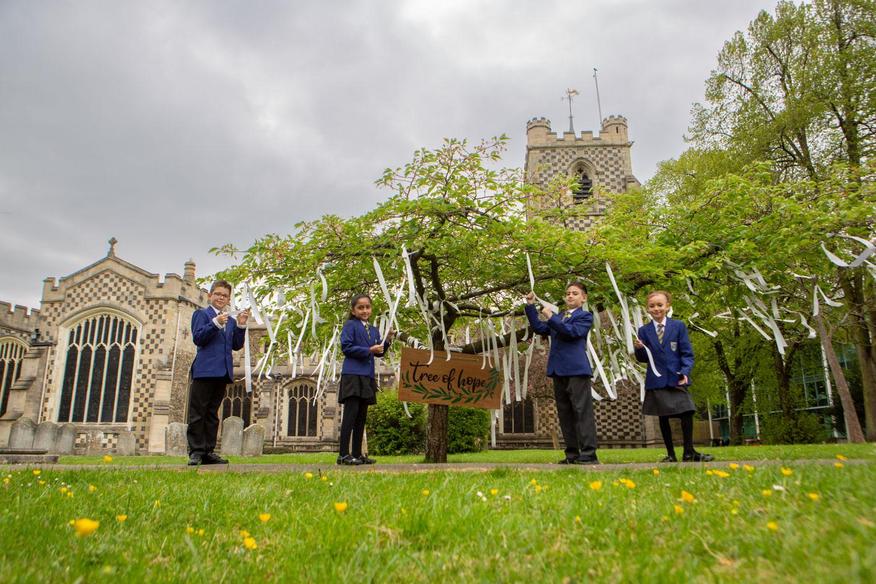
(391, 431)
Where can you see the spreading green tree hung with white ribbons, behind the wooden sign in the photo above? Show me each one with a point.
(465, 228)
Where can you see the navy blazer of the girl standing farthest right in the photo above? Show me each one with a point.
(673, 358)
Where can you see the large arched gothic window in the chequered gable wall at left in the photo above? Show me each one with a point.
(99, 370)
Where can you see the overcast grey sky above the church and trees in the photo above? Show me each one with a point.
(177, 126)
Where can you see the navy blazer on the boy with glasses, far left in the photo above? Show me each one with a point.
(214, 345)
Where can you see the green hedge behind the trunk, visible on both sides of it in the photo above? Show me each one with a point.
(391, 432)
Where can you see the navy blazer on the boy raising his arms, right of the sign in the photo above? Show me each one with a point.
(568, 354)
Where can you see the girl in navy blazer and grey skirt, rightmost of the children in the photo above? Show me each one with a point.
(667, 396)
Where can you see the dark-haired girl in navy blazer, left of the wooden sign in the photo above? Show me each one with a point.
(360, 342)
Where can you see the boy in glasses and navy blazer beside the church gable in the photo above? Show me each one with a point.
(216, 335)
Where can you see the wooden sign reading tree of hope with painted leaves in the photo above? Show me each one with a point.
(458, 382)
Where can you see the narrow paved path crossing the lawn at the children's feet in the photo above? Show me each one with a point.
(422, 467)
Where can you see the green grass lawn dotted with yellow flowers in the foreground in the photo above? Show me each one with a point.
(794, 522)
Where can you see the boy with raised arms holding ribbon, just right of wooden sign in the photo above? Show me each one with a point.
(570, 370)
